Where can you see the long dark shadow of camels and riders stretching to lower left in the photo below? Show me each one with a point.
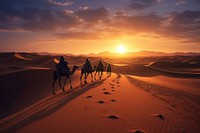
(45, 108)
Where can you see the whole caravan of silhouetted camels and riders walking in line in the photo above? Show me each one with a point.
(62, 69)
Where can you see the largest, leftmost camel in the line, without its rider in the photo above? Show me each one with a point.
(59, 72)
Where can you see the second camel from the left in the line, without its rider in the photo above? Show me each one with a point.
(86, 70)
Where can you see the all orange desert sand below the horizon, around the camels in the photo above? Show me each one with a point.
(136, 98)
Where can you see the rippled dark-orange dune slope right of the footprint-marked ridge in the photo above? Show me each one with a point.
(184, 100)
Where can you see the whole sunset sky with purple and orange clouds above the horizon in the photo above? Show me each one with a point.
(94, 26)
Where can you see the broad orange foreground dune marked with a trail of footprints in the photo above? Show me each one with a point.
(74, 111)
